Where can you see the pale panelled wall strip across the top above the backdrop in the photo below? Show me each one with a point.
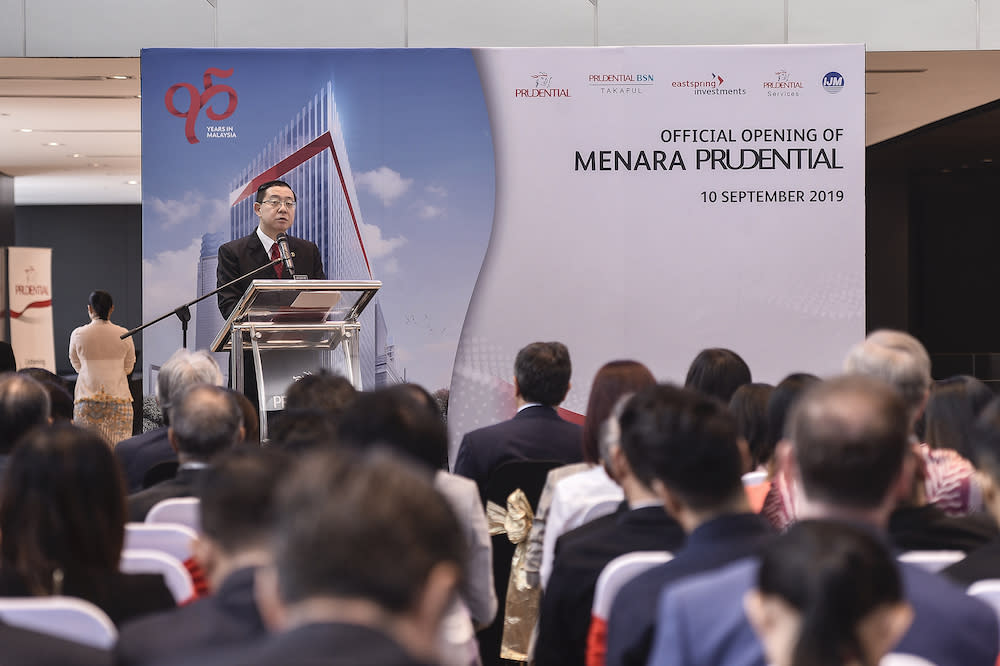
(122, 27)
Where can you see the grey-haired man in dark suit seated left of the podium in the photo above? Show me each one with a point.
(182, 370)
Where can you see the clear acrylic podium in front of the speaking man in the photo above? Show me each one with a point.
(286, 324)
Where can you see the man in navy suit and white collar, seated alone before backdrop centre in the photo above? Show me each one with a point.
(541, 381)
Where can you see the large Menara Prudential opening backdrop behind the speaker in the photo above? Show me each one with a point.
(638, 202)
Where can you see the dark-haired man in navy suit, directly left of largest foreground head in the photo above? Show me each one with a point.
(237, 514)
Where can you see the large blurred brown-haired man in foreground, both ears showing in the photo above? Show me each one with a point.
(367, 558)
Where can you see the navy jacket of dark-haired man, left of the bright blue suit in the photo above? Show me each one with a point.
(711, 545)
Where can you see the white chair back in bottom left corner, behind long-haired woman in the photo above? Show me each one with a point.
(68, 618)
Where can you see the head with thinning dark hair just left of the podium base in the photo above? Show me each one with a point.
(206, 421)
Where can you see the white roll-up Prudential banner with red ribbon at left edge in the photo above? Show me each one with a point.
(29, 298)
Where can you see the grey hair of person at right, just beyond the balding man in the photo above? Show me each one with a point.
(896, 358)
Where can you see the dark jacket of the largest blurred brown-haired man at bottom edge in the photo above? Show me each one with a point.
(310, 645)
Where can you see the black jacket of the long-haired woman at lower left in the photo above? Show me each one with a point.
(122, 596)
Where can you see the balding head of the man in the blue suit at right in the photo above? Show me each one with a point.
(850, 436)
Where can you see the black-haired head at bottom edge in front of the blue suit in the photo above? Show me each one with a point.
(828, 593)
